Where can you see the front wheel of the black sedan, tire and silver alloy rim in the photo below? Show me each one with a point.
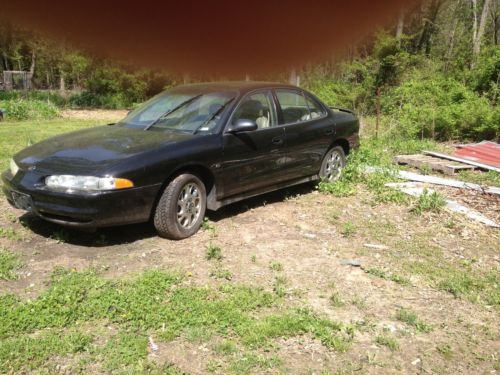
(181, 208)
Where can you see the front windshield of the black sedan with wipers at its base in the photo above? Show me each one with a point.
(184, 112)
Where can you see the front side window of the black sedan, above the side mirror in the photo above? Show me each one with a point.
(258, 107)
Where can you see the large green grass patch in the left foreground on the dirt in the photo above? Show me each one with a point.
(155, 303)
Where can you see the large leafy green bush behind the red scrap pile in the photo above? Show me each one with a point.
(440, 108)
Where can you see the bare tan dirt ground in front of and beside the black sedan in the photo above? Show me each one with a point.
(319, 240)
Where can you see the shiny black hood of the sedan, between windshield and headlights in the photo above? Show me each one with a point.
(90, 151)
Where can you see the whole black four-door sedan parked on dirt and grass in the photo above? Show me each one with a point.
(189, 149)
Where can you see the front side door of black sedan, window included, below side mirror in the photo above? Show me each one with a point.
(254, 159)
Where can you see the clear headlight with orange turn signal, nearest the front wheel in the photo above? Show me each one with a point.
(87, 183)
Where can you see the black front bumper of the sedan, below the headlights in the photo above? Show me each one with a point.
(84, 210)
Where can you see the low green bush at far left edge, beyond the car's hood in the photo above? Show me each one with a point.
(28, 109)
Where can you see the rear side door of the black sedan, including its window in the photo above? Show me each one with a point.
(308, 128)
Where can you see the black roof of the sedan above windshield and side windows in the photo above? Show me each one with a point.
(241, 86)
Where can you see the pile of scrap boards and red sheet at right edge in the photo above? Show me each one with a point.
(481, 203)
